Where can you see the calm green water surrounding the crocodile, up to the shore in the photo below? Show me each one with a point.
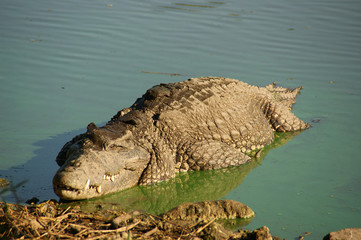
(64, 64)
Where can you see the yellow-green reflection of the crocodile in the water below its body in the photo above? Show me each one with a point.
(186, 187)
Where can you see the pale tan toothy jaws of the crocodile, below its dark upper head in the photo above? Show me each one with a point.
(96, 173)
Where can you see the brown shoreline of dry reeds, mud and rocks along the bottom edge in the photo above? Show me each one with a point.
(204, 220)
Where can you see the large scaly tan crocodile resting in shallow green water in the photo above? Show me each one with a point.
(198, 124)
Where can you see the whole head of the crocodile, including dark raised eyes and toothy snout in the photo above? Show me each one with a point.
(100, 161)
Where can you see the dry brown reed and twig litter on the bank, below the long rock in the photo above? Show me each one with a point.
(51, 220)
